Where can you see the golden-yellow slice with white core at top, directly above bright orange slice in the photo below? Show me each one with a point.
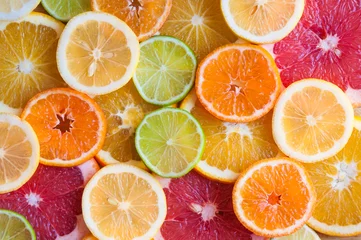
(199, 24)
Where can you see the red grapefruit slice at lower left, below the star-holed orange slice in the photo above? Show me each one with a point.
(51, 201)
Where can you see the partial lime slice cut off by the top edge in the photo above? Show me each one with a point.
(64, 10)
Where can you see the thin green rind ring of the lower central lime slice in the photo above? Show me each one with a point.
(191, 164)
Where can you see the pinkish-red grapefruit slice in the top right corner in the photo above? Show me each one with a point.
(325, 44)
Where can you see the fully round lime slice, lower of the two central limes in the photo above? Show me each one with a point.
(170, 142)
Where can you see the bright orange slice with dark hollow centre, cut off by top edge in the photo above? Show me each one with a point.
(144, 17)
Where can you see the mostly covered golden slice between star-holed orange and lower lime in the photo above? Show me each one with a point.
(124, 109)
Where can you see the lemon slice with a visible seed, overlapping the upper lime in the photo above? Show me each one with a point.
(97, 53)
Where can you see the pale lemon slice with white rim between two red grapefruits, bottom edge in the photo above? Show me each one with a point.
(123, 202)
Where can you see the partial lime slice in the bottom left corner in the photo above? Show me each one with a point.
(15, 226)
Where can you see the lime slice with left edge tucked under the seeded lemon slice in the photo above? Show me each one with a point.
(166, 70)
